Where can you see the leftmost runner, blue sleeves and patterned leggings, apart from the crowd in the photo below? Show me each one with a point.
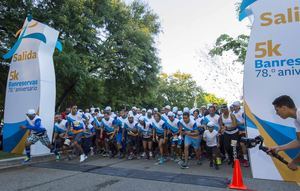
(37, 133)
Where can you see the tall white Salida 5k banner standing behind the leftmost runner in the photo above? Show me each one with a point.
(30, 84)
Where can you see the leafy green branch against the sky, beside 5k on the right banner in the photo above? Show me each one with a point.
(226, 43)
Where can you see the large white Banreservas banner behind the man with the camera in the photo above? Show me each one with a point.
(272, 69)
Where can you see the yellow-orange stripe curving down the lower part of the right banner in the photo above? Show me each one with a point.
(285, 172)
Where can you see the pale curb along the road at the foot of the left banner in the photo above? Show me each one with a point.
(17, 161)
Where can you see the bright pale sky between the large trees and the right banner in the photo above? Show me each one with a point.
(189, 28)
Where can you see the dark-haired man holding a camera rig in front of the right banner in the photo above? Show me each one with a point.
(286, 108)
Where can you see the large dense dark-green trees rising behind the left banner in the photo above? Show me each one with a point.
(109, 55)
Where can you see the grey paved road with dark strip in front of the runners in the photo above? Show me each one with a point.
(113, 174)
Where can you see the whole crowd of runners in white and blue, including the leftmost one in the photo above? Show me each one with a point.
(166, 134)
